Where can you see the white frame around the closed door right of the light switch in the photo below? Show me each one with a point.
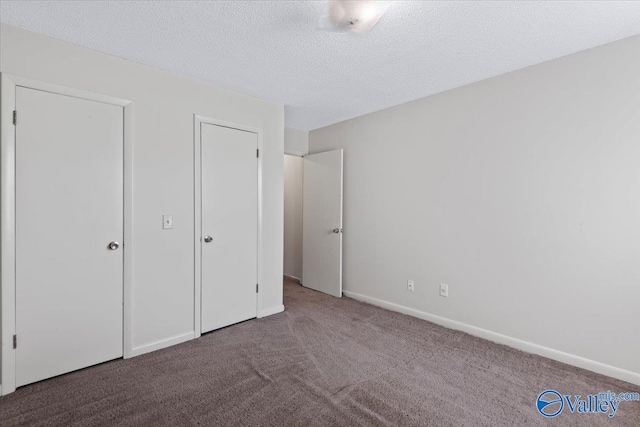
(197, 236)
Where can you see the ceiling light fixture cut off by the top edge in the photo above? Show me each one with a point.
(353, 16)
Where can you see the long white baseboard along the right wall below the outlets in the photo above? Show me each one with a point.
(529, 347)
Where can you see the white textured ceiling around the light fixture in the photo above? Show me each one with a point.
(274, 51)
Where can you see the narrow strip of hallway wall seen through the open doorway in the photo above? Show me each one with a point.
(293, 181)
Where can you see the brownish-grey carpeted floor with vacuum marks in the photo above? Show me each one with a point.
(324, 361)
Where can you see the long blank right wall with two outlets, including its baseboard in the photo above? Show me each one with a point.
(521, 192)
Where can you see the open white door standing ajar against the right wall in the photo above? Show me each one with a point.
(322, 222)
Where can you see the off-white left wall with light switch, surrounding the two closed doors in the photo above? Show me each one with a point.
(163, 272)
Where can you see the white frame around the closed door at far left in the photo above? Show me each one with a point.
(8, 85)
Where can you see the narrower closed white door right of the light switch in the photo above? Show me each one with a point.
(229, 168)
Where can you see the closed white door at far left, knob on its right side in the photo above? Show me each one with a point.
(69, 207)
